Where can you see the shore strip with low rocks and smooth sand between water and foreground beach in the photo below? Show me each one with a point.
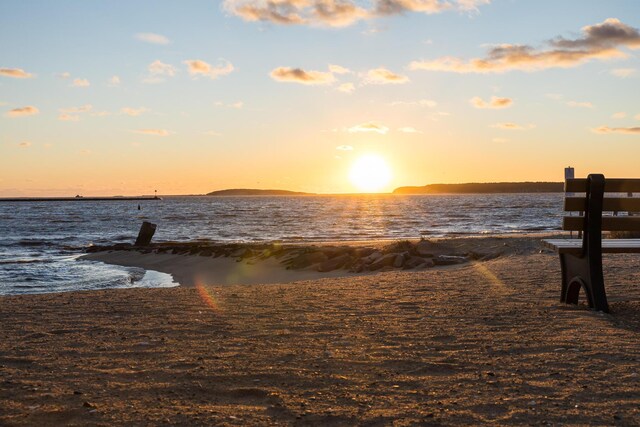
(201, 262)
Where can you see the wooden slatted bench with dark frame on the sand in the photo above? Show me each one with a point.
(581, 259)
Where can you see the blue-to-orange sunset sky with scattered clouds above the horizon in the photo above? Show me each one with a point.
(125, 98)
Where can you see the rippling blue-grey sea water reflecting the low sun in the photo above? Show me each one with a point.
(40, 242)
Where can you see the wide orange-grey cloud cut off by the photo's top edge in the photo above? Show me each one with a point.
(338, 13)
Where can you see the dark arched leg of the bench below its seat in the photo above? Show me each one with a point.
(585, 273)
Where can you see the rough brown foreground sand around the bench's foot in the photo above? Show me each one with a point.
(478, 343)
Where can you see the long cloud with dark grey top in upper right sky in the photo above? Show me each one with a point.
(598, 42)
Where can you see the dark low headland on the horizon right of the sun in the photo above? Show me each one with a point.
(484, 187)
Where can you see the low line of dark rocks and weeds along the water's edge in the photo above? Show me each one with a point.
(405, 255)
